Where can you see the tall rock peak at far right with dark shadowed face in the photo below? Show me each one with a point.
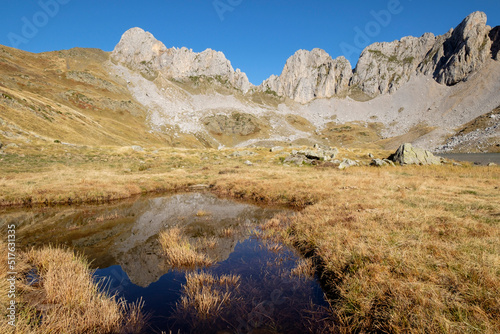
(468, 47)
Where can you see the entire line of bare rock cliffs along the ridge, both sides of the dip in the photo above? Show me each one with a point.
(307, 75)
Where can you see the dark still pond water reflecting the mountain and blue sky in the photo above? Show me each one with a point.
(121, 240)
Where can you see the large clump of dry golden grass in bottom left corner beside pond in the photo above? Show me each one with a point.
(65, 298)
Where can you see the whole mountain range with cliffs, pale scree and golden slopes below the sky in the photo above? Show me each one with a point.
(439, 92)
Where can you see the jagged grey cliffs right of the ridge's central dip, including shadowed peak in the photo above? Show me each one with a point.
(384, 67)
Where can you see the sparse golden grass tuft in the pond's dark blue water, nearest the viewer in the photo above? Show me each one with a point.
(207, 294)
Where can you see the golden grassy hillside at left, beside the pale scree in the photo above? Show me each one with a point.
(68, 96)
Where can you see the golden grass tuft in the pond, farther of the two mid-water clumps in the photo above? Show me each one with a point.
(179, 252)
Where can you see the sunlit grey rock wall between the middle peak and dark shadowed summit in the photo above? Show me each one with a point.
(384, 67)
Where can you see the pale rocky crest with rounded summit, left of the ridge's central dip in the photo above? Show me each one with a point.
(141, 51)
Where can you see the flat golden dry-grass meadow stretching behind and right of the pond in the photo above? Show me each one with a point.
(411, 249)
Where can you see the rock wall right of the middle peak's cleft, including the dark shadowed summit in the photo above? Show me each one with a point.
(450, 58)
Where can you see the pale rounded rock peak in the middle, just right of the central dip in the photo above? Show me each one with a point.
(311, 74)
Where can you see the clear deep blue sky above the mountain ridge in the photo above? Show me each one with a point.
(257, 36)
